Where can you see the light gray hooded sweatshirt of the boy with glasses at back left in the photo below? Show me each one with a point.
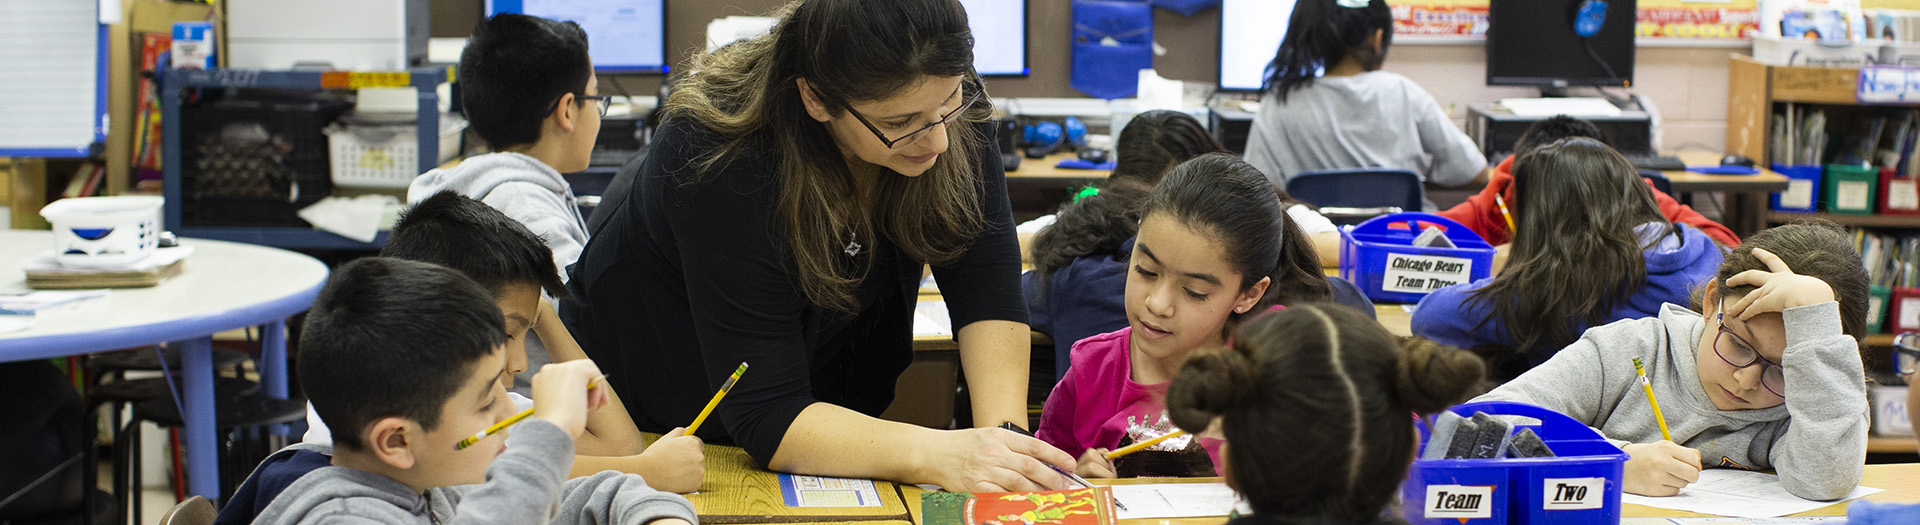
(525, 189)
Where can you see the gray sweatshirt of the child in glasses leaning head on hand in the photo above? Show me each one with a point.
(1817, 441)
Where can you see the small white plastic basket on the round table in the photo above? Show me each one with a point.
(105, 232)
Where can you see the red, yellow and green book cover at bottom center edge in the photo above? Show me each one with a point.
(1086, 507)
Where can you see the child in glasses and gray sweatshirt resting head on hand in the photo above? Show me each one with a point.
(1769, 378)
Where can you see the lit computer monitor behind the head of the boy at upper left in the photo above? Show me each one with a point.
(623, 36)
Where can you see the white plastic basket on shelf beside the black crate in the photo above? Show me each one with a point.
(385, 155)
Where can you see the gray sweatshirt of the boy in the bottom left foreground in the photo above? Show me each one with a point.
(523, 486)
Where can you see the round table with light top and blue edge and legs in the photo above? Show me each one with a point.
(224, 287)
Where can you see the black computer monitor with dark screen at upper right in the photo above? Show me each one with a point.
(1533, 43)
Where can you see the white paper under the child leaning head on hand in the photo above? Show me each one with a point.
(1740, 495)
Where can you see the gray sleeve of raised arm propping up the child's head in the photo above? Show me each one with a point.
(1823, 451)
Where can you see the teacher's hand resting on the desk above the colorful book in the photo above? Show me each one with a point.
(996, 461)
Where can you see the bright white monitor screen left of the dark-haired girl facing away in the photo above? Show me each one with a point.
(1251, 36)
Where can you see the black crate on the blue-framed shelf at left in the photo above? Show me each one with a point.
(256, 159)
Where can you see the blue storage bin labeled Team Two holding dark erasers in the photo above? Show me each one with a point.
(1583, 486)
